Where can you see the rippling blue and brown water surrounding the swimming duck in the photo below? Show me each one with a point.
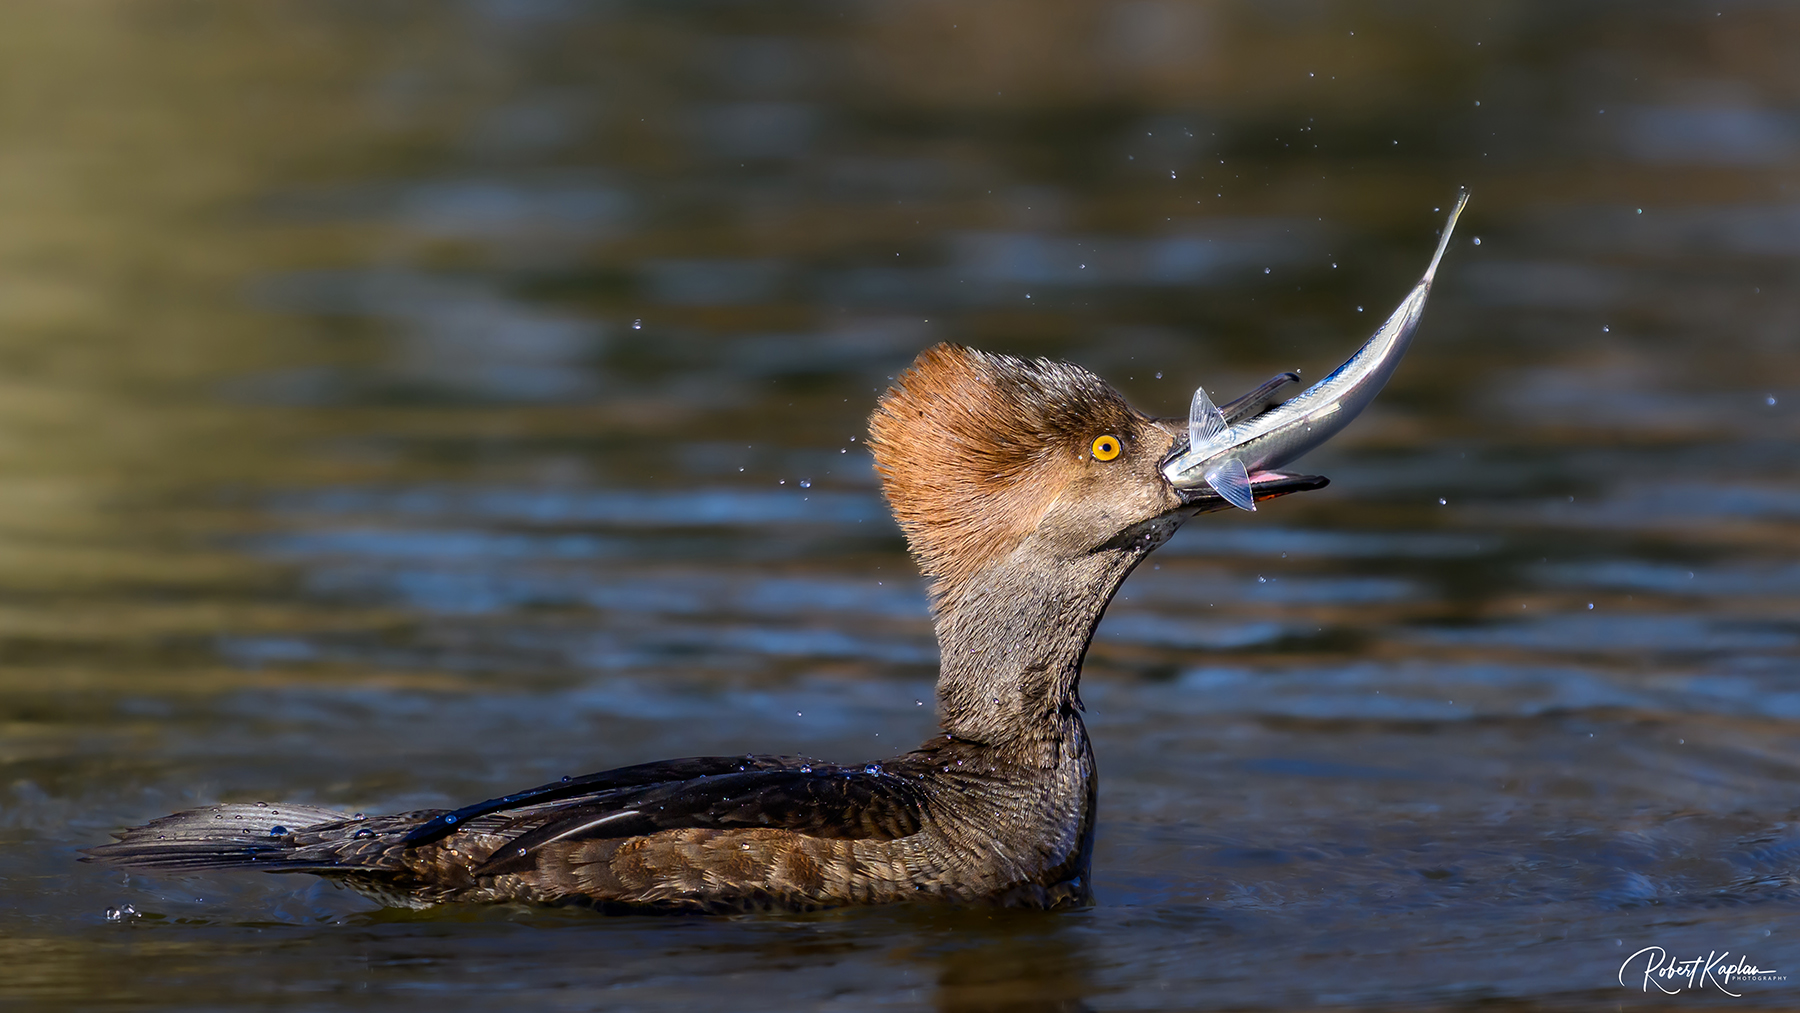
(404, 404)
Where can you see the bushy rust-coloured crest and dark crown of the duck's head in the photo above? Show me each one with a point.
(973, 449)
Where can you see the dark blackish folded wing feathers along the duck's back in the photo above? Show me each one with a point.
(818, 802)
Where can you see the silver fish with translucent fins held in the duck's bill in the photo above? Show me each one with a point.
(1236, 447)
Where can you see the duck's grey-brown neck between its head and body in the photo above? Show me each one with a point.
(1012, 643)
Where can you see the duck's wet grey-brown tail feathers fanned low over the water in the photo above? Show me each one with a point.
(220, 838)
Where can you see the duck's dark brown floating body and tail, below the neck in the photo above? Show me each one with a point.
(701, 834)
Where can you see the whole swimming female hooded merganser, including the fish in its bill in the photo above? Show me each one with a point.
(1029, 490)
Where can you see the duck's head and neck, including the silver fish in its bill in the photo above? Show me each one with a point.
(1030, 489)
